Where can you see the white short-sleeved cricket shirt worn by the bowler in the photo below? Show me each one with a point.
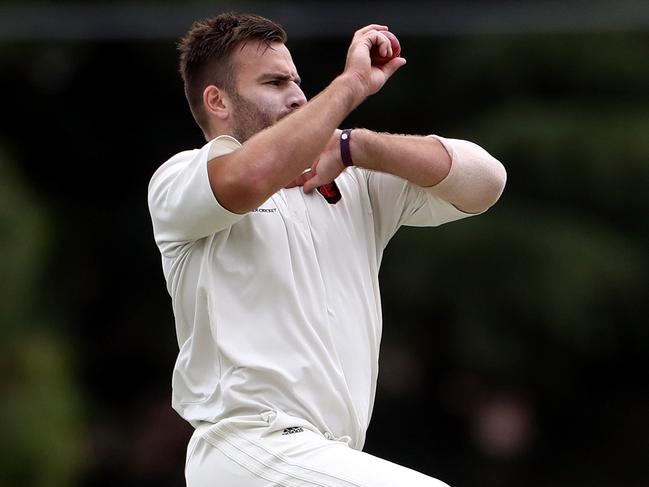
(279, 309)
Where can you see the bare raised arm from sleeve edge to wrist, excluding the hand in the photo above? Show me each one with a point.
(272, 158)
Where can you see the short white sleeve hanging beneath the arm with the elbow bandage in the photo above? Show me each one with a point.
(396, 202)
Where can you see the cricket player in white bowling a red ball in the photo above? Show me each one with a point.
(271, 237)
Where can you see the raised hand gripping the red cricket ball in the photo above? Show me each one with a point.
(359, 64)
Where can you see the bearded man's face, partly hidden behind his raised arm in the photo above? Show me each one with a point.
(267, 88)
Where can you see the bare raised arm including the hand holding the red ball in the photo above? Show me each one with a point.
(269, 160)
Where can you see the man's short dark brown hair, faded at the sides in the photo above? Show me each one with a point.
(206, 53)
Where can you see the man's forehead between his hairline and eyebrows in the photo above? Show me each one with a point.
(256, 58)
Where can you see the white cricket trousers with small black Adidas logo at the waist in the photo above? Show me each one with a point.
(274, 449)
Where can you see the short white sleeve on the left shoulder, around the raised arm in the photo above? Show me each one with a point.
(182, 205)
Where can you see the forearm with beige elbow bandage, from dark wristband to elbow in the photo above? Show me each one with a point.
(458, 171)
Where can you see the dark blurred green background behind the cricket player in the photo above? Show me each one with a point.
(515, 344)
